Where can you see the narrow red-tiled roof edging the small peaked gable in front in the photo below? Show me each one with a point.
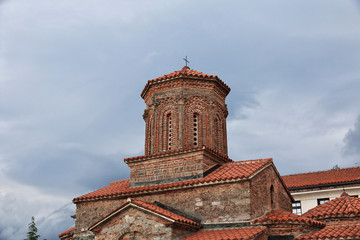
(153, 208)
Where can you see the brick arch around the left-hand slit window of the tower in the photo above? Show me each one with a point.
(162, 132)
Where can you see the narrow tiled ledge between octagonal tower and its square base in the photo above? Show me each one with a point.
(177, 151)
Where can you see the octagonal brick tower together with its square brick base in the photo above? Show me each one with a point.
(184, 110)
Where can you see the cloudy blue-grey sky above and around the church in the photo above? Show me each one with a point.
(71, 74)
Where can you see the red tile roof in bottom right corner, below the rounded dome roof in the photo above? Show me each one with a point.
(338, 230)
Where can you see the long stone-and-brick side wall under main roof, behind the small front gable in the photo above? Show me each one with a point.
(213, 204)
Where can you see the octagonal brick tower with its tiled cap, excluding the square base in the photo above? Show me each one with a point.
(196, 105)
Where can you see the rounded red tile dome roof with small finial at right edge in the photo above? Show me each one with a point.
(344, 206)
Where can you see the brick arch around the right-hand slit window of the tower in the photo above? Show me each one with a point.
(200, 107)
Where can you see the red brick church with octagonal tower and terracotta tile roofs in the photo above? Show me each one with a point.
(186, 187)
